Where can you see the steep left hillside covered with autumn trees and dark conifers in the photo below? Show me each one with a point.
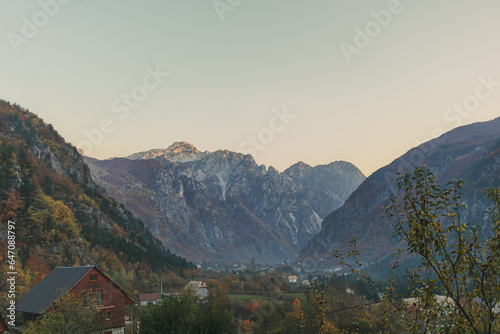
(62, 218)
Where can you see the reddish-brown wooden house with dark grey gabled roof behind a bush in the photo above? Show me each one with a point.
(87, 281)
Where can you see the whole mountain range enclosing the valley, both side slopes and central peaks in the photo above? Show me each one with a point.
(218, 206)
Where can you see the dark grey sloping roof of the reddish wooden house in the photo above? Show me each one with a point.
(56, 283)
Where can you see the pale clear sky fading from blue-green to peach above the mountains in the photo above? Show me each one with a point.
(283, 80)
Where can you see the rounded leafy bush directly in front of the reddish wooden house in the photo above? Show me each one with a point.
(68, 315)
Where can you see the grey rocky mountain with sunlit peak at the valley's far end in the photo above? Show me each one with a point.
(222, 205)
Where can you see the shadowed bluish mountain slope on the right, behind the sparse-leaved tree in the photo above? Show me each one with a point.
(470, 153)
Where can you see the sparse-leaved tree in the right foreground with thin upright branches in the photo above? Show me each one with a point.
(453, 259)
